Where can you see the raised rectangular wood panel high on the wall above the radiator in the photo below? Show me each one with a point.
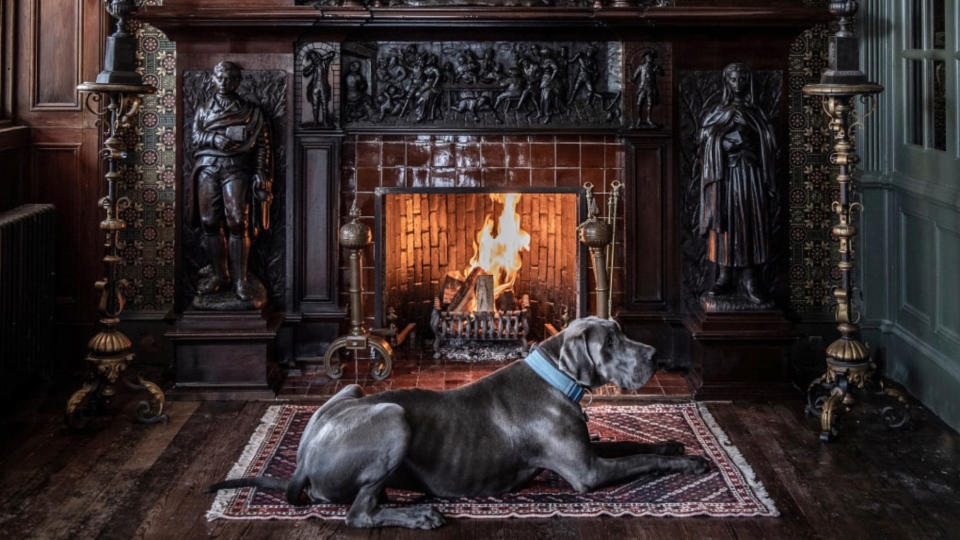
(57, 45)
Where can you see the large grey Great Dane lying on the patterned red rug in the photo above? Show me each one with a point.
(483, 439)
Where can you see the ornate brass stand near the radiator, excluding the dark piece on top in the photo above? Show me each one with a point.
(109, 351)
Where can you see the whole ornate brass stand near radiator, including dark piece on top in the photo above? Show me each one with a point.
(117, 91)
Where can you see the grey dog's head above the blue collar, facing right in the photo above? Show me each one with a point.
(595, 351)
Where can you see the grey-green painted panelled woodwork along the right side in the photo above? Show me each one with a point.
(910, 245)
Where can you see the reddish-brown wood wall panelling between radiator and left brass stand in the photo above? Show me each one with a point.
(59, 44)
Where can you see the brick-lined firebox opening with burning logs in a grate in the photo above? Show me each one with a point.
(440, 246)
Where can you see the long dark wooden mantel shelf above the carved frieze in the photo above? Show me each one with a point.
(177, 15)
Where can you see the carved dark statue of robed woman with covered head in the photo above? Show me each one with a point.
(737, 185)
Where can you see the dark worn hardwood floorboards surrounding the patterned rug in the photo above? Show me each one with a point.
(119, 479)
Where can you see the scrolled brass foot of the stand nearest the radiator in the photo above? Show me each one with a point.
(100, 387)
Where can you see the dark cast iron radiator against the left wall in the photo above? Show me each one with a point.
(27, 253)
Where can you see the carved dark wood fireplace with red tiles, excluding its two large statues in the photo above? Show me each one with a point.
(396, 107)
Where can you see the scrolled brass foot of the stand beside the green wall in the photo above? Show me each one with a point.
(847, 383)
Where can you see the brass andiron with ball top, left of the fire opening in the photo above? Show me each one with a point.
(355, 236)
